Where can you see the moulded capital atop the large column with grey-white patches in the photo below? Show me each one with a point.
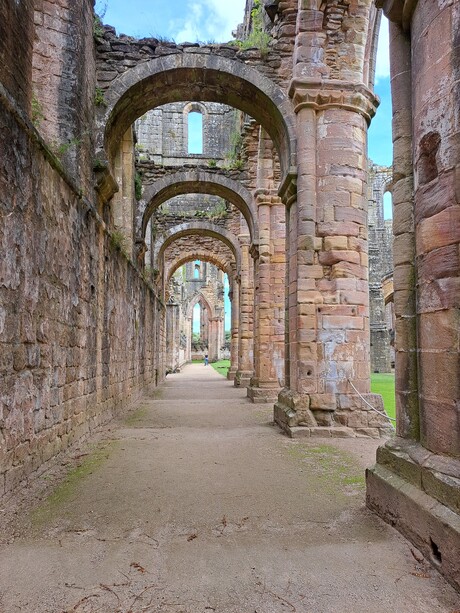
(322, 94)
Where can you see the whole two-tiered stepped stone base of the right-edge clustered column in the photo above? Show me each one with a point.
(418, 493)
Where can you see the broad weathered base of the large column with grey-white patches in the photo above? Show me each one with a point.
(330, 415)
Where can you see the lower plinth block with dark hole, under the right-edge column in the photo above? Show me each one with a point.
(432, 527)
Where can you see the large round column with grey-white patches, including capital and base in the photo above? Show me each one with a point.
(328, 366)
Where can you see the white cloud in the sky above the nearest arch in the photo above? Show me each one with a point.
(208, 20)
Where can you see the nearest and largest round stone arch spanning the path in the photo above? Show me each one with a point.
(198, 77)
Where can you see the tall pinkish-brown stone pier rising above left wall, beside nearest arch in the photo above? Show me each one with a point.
(64, 82)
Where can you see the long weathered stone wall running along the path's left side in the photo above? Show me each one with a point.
(78, 326)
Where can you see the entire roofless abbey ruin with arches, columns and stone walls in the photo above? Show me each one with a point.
(113, 229)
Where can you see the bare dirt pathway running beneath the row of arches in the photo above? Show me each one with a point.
(196, 504)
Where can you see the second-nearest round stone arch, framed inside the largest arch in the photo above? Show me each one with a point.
(197, 182)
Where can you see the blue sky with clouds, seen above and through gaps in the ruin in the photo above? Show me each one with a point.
(214, 21)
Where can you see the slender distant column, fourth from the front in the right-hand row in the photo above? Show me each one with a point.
(245, 342)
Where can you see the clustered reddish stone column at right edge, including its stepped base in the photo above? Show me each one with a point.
(415, 483)
